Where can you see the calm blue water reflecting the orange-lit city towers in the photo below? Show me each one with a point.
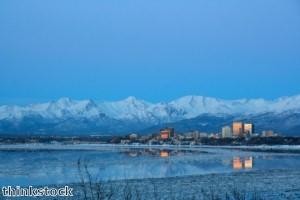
(44, 167)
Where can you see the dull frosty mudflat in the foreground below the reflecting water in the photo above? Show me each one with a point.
(252, 185)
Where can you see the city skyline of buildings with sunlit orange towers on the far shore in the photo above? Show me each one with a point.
(234, 132)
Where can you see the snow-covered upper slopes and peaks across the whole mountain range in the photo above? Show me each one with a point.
(133, 109)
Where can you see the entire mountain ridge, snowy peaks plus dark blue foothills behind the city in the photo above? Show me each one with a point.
(131, 114)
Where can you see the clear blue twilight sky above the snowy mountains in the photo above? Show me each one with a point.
(152, 49)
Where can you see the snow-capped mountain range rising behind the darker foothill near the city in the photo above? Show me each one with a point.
(132, 113)
